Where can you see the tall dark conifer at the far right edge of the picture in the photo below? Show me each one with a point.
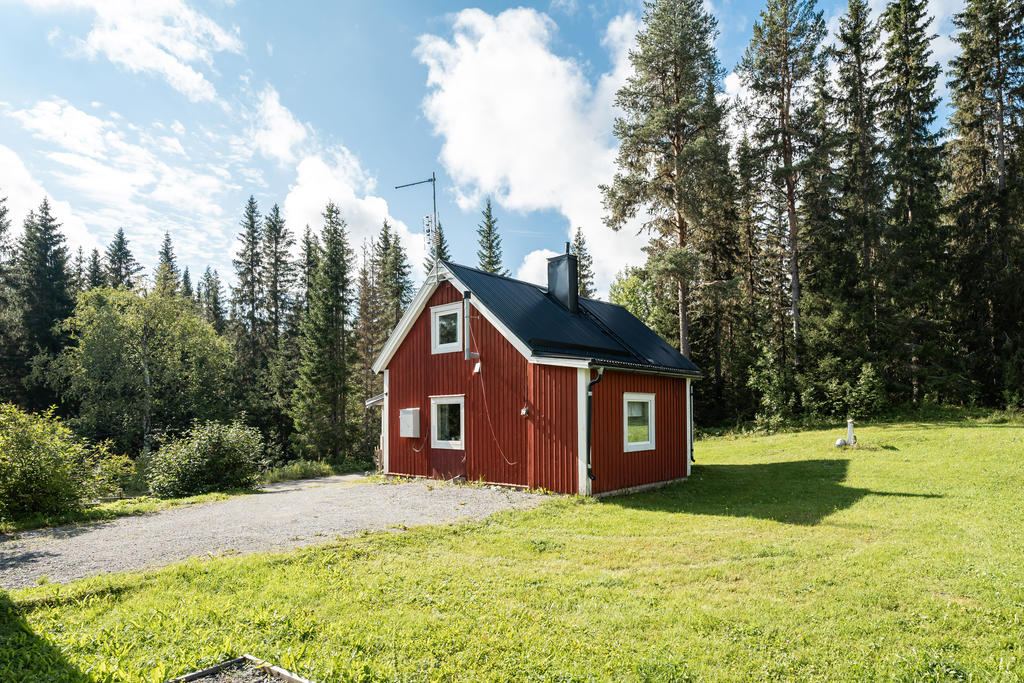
(985, 165)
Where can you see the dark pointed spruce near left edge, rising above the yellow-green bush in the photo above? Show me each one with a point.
(46, 286)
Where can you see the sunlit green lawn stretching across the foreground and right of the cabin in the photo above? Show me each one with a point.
(781, 559)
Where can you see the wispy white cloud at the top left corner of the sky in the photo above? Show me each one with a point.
(163, 37)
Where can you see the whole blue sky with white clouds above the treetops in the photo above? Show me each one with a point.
(166, 115)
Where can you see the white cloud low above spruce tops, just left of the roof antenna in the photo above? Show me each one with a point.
(336, 177)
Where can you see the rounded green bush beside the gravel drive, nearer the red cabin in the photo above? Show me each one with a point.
(208, 458)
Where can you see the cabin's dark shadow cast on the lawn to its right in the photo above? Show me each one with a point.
(801, 492)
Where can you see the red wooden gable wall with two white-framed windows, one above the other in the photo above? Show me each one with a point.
(496, 450)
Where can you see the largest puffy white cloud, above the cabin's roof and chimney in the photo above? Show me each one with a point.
(526, 126)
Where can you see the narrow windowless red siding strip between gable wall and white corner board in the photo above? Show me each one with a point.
(553, 438)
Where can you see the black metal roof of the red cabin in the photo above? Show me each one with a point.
(605, 333)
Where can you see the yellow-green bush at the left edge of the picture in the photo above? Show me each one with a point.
(46, 469)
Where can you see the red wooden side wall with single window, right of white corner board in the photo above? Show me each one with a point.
(614, 468)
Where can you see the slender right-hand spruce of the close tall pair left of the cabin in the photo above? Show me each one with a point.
(278, 276)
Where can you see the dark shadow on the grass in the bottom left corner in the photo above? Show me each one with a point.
(27, 657)
